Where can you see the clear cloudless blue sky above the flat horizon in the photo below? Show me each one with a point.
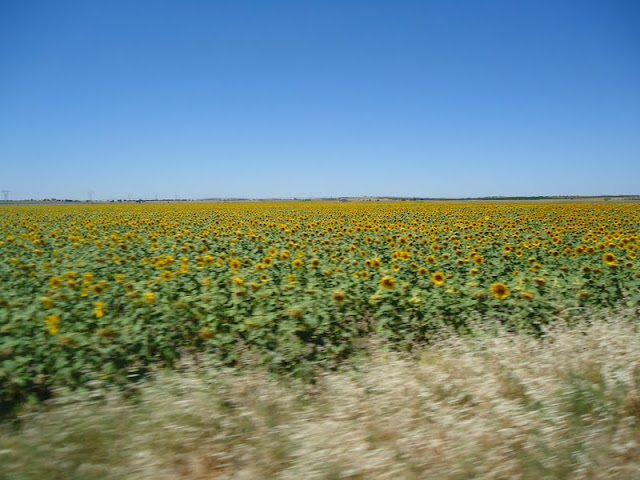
(199, 99)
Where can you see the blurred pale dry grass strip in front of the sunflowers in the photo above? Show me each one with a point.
(493, 406)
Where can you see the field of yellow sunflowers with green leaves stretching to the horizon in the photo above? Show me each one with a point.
(107, 292)
